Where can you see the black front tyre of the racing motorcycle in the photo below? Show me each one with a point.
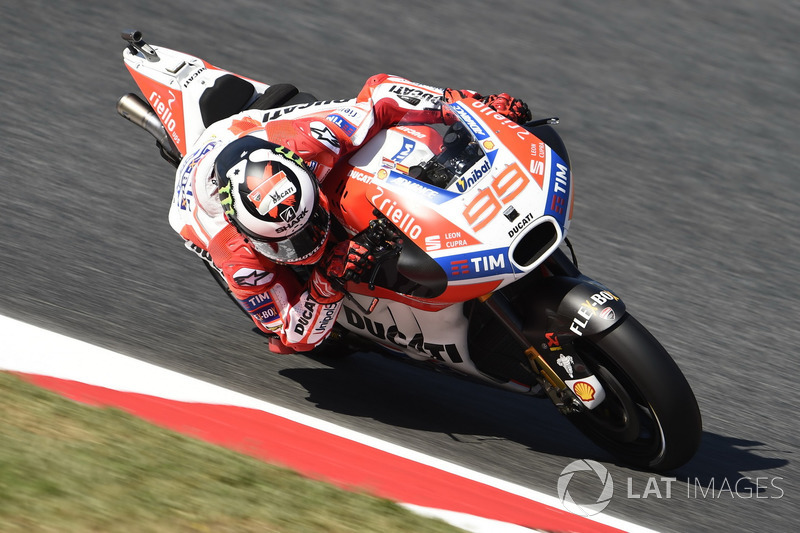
(650, 418)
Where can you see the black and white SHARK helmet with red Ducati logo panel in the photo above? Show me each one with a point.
(272, 198)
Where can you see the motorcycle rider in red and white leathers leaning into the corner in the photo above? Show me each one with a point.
(247, 199)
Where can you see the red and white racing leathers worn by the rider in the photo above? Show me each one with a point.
(301, 315)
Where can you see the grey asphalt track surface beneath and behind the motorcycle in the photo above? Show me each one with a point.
(682, 123)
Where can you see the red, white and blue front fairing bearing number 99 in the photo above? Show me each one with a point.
(486, 200)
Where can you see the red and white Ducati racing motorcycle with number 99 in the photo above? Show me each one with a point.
(468, 226)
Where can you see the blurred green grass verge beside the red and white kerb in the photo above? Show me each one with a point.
(67, 467)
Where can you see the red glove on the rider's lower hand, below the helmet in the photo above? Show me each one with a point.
(347, 261)
